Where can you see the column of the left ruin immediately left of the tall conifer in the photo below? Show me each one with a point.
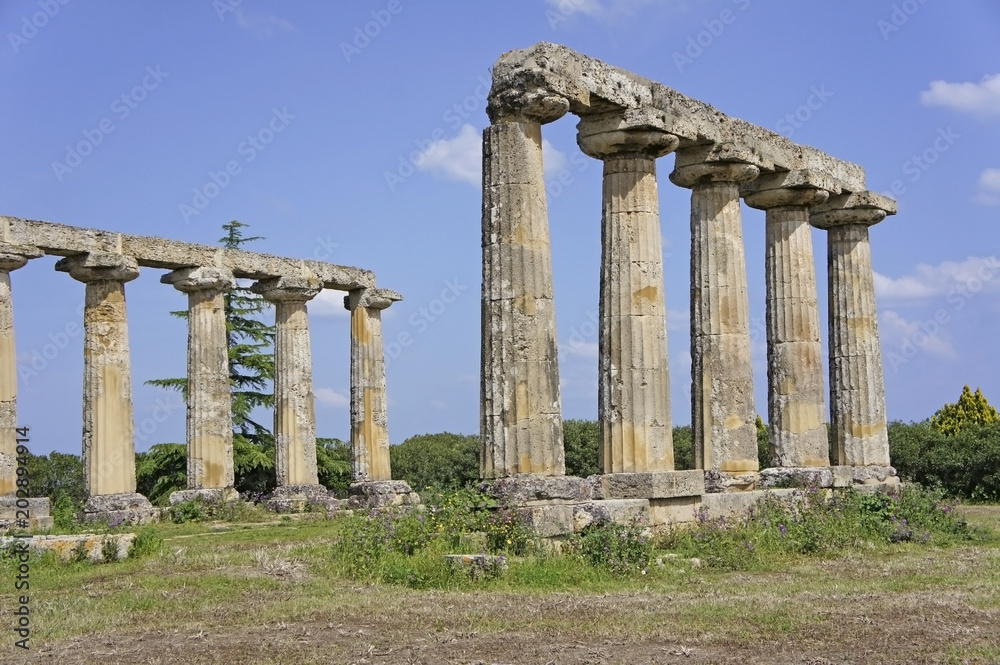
(209, 399)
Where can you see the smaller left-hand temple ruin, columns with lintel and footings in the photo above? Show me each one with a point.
(105, 261)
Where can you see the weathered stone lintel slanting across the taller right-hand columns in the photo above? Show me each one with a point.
(592, 87)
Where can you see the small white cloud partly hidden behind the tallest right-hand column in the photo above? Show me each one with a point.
(461, 158)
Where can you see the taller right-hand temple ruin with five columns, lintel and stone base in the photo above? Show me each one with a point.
(627, 122)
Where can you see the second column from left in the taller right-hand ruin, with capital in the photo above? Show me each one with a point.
(634, 381)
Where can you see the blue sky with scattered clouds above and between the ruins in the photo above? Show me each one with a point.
(351, 133)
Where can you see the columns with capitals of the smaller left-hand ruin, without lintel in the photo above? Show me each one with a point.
(108, 435)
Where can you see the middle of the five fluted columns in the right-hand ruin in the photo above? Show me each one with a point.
(722, 404)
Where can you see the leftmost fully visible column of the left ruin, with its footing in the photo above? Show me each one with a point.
(108, 441)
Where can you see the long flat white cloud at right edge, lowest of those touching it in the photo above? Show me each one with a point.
(930, 281)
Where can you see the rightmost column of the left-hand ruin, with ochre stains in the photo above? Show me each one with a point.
(369, 408)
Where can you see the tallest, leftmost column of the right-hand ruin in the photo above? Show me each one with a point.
(521, 421)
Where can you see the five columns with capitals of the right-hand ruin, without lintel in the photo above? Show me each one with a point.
(520, 401)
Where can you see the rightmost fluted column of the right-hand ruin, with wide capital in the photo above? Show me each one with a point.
(857, 386)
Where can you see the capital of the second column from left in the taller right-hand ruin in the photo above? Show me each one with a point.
(628, 131)
